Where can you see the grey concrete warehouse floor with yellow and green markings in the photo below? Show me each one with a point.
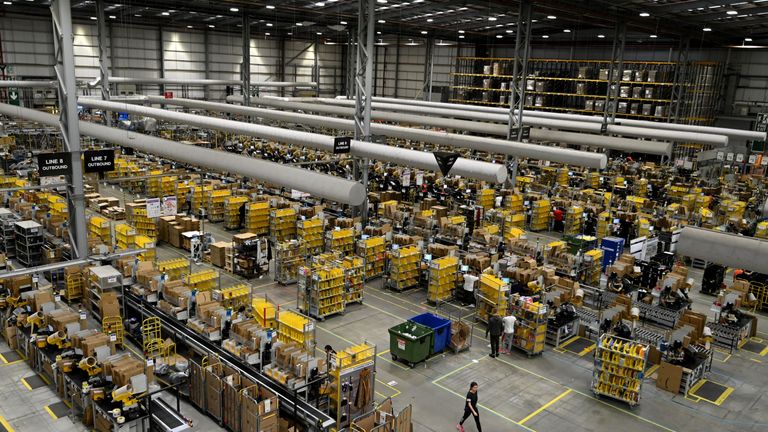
(546, 393)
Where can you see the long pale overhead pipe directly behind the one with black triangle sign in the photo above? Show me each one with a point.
(554, 154)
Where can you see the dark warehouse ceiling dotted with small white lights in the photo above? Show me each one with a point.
(707, 23)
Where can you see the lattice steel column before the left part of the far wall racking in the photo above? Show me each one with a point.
(519, 76)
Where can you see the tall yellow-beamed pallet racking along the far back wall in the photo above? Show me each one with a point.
(645, 89)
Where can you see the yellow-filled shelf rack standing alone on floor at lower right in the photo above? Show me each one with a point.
(619, 368)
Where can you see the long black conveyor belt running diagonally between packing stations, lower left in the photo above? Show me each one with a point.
(312, 417)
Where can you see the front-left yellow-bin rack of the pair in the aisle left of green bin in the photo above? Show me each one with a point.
(321, 290)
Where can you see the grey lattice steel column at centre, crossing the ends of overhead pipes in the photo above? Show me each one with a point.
(363, 81)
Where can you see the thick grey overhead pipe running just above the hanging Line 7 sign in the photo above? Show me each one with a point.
(320, 185)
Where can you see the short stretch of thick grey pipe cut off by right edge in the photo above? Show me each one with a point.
(729, 250)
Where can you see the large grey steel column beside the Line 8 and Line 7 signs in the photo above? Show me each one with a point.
(61, 11)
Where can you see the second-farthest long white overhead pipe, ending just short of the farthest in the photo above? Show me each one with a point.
(614, 129)
